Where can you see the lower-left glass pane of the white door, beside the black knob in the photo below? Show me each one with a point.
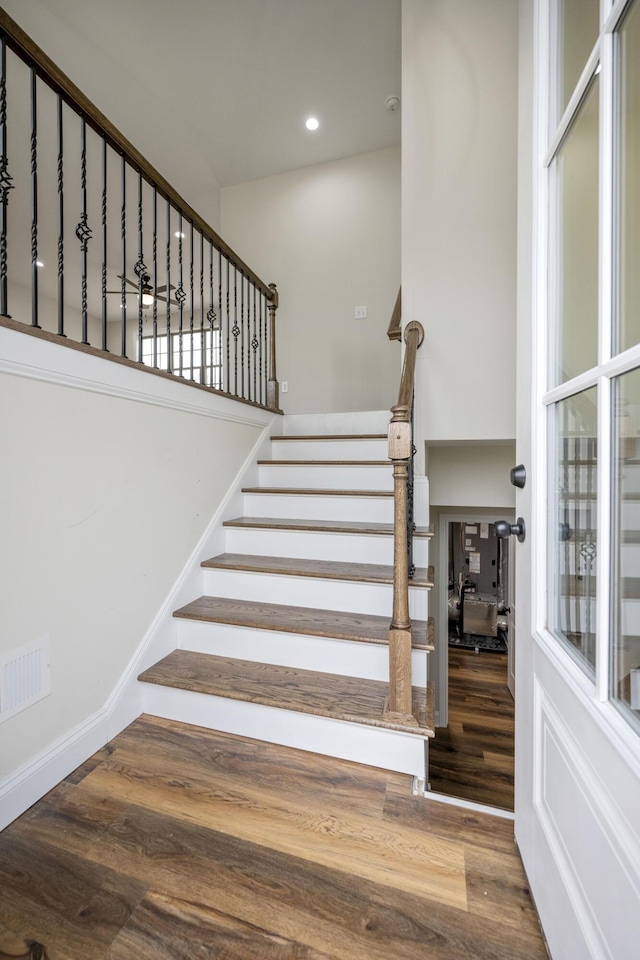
(573, 533)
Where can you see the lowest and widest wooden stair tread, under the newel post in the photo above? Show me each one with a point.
(303, 691)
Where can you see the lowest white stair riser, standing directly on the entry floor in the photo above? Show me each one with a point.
(373, 746)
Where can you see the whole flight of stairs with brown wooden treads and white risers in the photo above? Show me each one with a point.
(289, 642)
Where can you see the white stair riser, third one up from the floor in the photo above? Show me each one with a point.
(311, 592)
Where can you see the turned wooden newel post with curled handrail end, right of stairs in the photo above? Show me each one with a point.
(400, 449)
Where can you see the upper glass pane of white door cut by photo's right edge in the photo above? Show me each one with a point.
(629, 181)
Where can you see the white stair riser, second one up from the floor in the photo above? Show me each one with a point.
(342, 657)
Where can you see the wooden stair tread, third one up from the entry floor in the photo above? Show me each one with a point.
(322, 569)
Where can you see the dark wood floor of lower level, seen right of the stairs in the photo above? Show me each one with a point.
(472, 758)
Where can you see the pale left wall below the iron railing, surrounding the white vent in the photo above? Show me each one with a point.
(104, 499)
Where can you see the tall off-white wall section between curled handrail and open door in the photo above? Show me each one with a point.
(459, 165)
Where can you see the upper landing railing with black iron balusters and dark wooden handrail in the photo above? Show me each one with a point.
(97, 247)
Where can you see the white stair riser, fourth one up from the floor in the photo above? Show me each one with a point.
(346, 547)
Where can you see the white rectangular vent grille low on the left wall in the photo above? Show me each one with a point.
(25, 677)
